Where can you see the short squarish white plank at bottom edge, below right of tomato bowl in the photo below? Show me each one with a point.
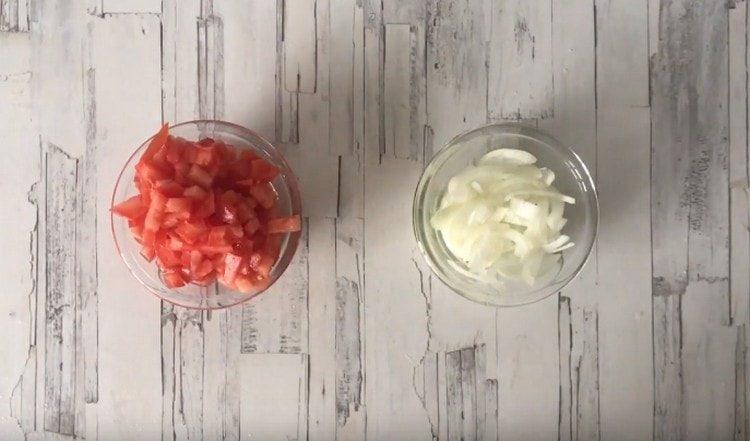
(271, 405)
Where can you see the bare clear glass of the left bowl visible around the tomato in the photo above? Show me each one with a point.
(216, 295)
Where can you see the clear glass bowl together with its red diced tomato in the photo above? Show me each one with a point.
(207, 217)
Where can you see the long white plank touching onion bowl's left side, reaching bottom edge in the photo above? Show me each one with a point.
(393, 409)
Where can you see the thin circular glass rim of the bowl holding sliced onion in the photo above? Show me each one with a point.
(446, 150)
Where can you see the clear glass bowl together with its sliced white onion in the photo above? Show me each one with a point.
(571, 178)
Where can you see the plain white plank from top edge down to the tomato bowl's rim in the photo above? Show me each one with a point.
(250, 38)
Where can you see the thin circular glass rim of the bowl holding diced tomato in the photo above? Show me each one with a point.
(294, 196)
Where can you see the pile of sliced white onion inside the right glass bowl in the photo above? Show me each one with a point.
(503, 218)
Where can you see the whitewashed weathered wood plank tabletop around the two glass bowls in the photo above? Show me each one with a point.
(358, 339)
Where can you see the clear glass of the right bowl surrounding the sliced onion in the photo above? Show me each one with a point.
(572, 178)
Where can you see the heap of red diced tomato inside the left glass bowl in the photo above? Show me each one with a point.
(206, 212)
